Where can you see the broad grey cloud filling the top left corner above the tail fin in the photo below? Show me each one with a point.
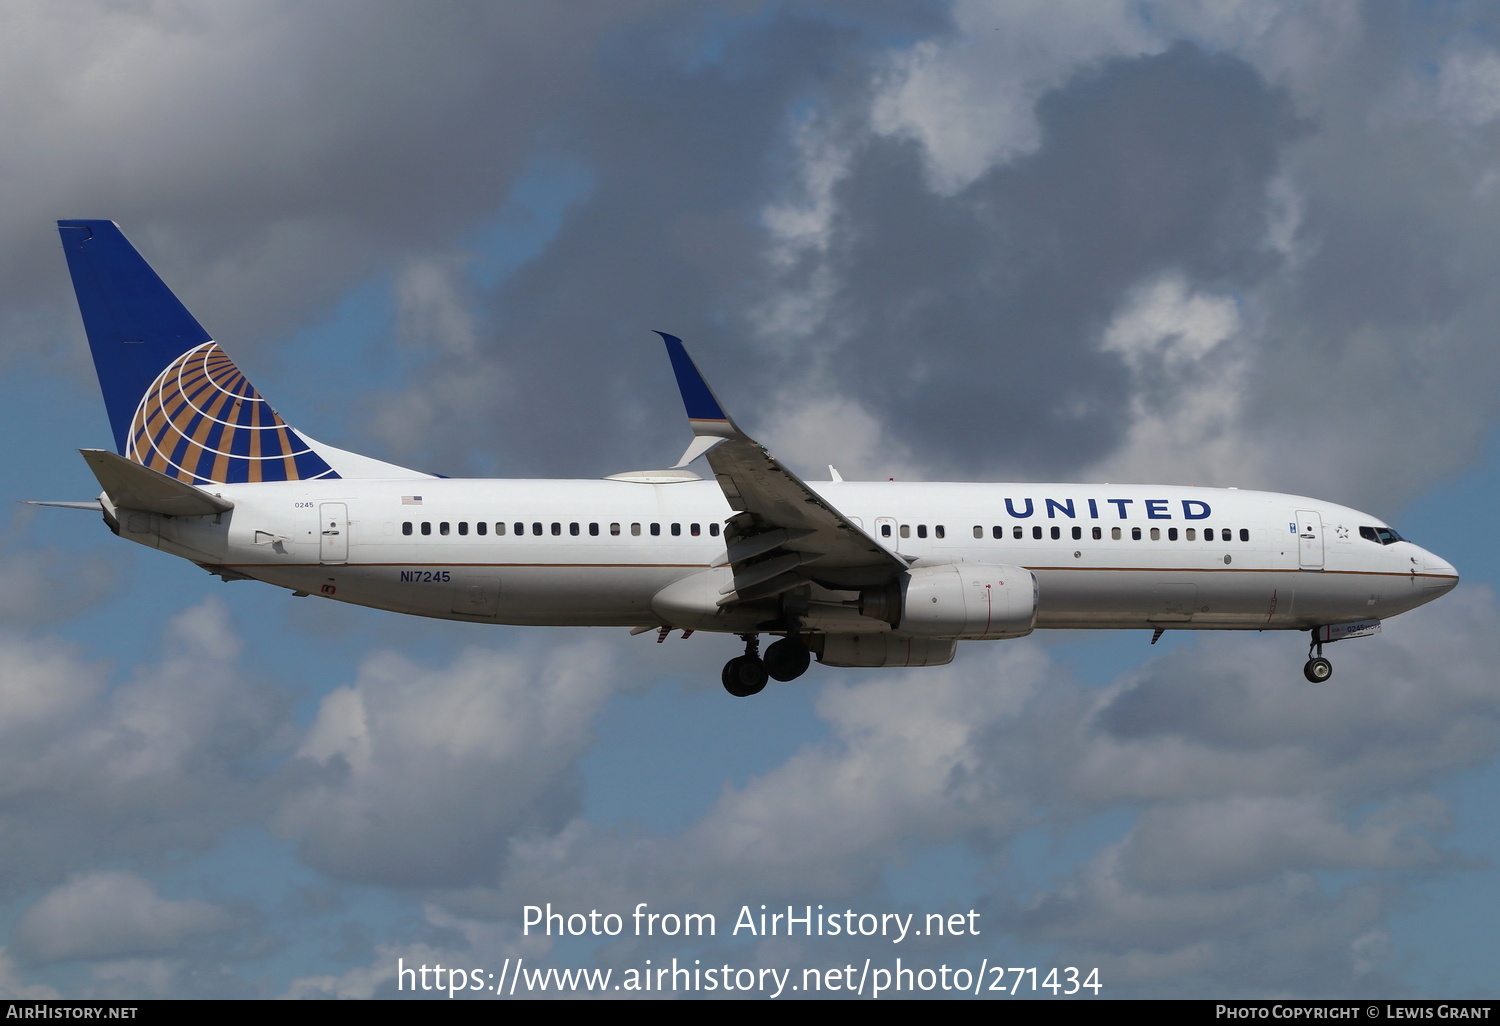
(277, 151)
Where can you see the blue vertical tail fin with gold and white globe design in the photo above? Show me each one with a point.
(176, 401)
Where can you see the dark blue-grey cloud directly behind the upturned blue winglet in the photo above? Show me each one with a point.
(683, 154)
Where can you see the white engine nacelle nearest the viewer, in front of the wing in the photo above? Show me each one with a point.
(974, 601)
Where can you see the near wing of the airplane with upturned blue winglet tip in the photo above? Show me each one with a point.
(784, 535)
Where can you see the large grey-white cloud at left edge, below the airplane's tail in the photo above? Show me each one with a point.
(166, 760)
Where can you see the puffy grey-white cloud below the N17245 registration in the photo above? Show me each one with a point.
(427, 773)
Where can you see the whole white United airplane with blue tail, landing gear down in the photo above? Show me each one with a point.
(854, 574)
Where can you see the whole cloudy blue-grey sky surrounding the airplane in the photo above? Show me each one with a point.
(1243, 244)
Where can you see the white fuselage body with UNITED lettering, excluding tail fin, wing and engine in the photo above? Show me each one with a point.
(596, 553)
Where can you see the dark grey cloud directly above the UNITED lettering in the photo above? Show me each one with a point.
(982, 313)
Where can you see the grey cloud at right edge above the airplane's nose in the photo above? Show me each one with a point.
(1384, 337)
